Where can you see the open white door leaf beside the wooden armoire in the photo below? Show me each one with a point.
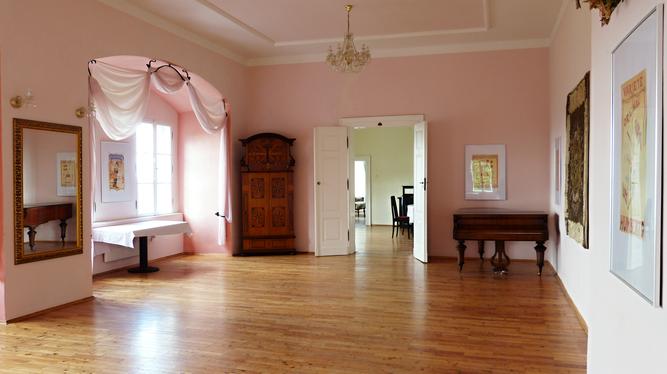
(332, 215)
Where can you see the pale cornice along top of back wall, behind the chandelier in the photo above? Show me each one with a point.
(417, 51)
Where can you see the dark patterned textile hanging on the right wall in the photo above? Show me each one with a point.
(576, 162)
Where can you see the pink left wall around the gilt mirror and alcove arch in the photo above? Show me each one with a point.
(51, 60)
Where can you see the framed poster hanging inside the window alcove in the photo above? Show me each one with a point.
(117, 172)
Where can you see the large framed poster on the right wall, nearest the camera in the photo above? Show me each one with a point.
(636, 158)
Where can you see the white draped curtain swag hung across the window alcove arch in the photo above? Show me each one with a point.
(120, 98)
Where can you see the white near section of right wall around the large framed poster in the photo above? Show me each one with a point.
(626, 334)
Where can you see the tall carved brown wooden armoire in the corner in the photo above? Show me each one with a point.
(267, 194)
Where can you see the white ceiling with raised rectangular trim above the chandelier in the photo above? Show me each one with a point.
(264, 32)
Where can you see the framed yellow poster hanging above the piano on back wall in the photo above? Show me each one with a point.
(485, 172)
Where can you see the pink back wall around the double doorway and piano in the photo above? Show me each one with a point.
(472, 98)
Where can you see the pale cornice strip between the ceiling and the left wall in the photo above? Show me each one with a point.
(127, 7)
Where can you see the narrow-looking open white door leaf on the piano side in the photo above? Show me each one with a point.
(420, 242)
